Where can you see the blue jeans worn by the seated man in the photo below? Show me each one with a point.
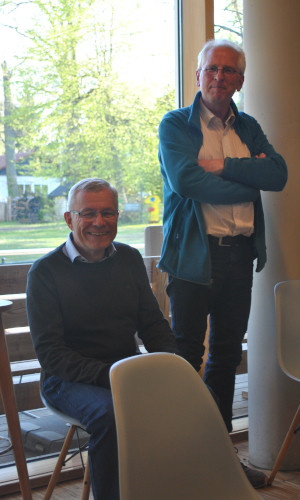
(93, 407)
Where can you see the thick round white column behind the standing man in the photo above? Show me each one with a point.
(272, 46)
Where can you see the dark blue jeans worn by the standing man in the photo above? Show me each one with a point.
(227, 301)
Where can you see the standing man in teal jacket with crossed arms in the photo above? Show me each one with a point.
(214, 163)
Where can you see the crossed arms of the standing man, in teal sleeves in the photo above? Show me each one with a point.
(221, 181)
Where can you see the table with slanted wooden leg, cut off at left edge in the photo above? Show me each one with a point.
(10, 407)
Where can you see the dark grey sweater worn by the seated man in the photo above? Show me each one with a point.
(83, 317)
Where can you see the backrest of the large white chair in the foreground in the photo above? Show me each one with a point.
(172, 441)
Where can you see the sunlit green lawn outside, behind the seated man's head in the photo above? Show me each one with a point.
(16, 236)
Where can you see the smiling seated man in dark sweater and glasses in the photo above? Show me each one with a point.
(86, 300)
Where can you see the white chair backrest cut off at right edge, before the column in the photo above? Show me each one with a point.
(287, 301)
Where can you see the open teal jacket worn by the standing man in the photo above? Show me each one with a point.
(185, 252)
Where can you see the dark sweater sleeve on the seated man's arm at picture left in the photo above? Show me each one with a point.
(47, 331)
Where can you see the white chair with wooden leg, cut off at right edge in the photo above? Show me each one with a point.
(287, 303)
